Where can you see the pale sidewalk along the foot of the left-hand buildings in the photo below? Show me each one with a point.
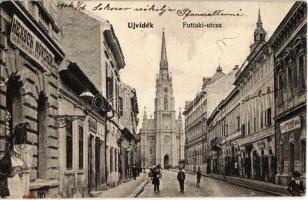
(129, 189)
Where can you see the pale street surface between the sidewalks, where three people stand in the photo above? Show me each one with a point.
(169, 187)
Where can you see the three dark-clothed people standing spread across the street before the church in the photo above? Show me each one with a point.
(155, 175)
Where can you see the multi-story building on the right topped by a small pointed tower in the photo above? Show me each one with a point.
(256, 90)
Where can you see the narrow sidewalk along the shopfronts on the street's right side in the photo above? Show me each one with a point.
(274, 189)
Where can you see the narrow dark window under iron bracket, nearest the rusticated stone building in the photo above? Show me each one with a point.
(69, 146)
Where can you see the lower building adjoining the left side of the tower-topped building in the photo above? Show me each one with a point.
(223, 131)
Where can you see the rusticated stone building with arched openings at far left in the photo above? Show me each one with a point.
(29, 60)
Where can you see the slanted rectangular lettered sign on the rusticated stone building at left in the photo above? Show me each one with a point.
(30, 44)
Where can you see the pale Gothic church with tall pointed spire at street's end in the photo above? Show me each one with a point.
(162, 138)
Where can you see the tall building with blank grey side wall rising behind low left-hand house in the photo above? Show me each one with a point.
(99, 54)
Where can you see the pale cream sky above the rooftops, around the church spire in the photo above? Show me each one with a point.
(192, 53)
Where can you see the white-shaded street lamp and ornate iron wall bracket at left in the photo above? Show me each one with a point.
(64, 120)
